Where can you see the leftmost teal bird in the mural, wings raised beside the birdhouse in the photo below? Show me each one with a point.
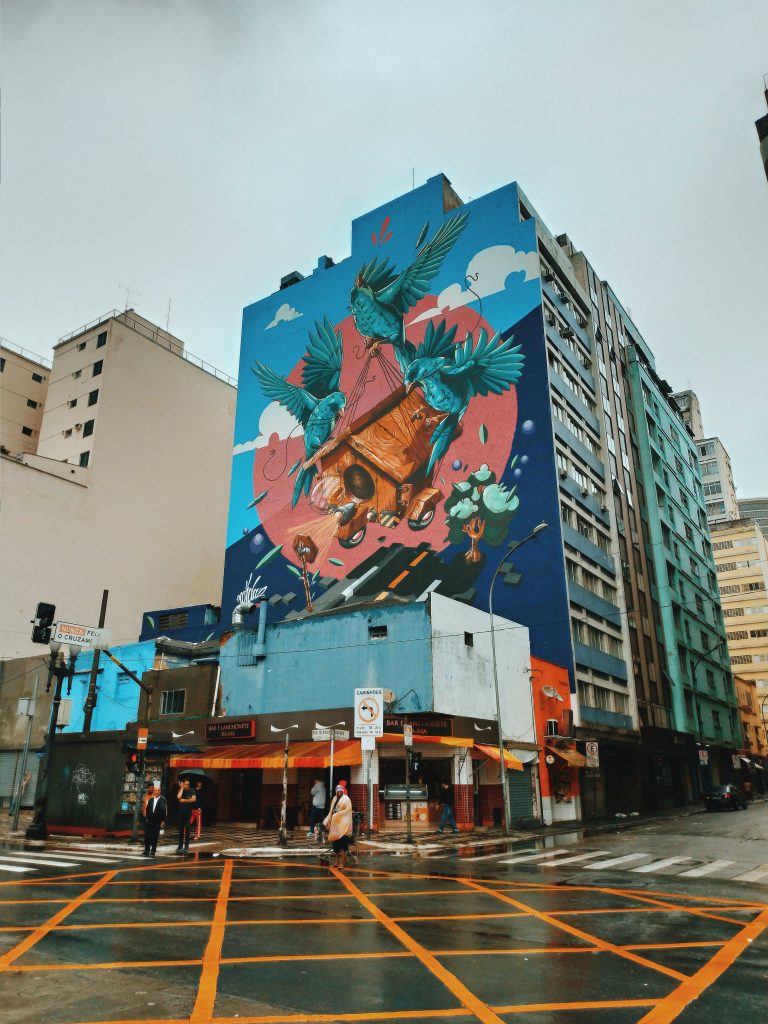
(319, 405)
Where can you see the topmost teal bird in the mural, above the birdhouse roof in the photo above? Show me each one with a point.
(381, 297)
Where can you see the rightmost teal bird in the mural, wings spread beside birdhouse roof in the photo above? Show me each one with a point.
(449, 385)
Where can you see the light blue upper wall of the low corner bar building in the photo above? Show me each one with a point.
(318, 663)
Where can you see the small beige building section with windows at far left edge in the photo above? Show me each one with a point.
(24, 385)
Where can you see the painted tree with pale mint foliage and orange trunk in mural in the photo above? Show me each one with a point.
(482, 509)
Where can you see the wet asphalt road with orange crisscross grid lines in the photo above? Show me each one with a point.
(534, 942)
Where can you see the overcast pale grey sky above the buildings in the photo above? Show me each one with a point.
(197, 151)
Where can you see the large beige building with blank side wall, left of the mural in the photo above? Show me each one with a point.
(129, 489)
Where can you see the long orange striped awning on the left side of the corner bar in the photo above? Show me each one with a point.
(301, 755)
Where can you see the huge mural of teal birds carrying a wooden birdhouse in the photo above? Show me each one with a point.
(378, 413)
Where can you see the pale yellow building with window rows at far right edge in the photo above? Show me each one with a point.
(742, 559)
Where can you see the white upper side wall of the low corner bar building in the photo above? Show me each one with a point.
(463, 676)
